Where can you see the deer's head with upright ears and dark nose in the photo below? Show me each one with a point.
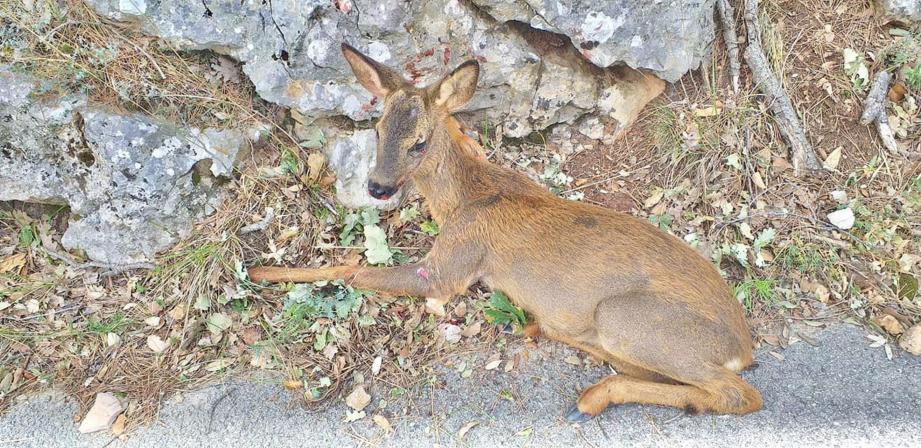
(410, 116)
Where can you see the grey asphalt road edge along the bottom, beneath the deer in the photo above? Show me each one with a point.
(839, 393)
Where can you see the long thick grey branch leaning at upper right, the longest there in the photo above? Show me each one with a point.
(804, 158)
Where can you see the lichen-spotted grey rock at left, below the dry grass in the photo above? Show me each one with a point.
(128, 179)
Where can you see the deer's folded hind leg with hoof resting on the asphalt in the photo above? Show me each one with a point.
(690, 355)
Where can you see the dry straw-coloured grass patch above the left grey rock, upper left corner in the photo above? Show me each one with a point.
(118, 66)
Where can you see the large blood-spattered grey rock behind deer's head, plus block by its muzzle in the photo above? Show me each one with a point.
(542, 62)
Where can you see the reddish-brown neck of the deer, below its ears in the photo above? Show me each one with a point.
(447, 177)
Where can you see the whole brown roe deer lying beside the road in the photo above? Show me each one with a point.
(605, 282)
